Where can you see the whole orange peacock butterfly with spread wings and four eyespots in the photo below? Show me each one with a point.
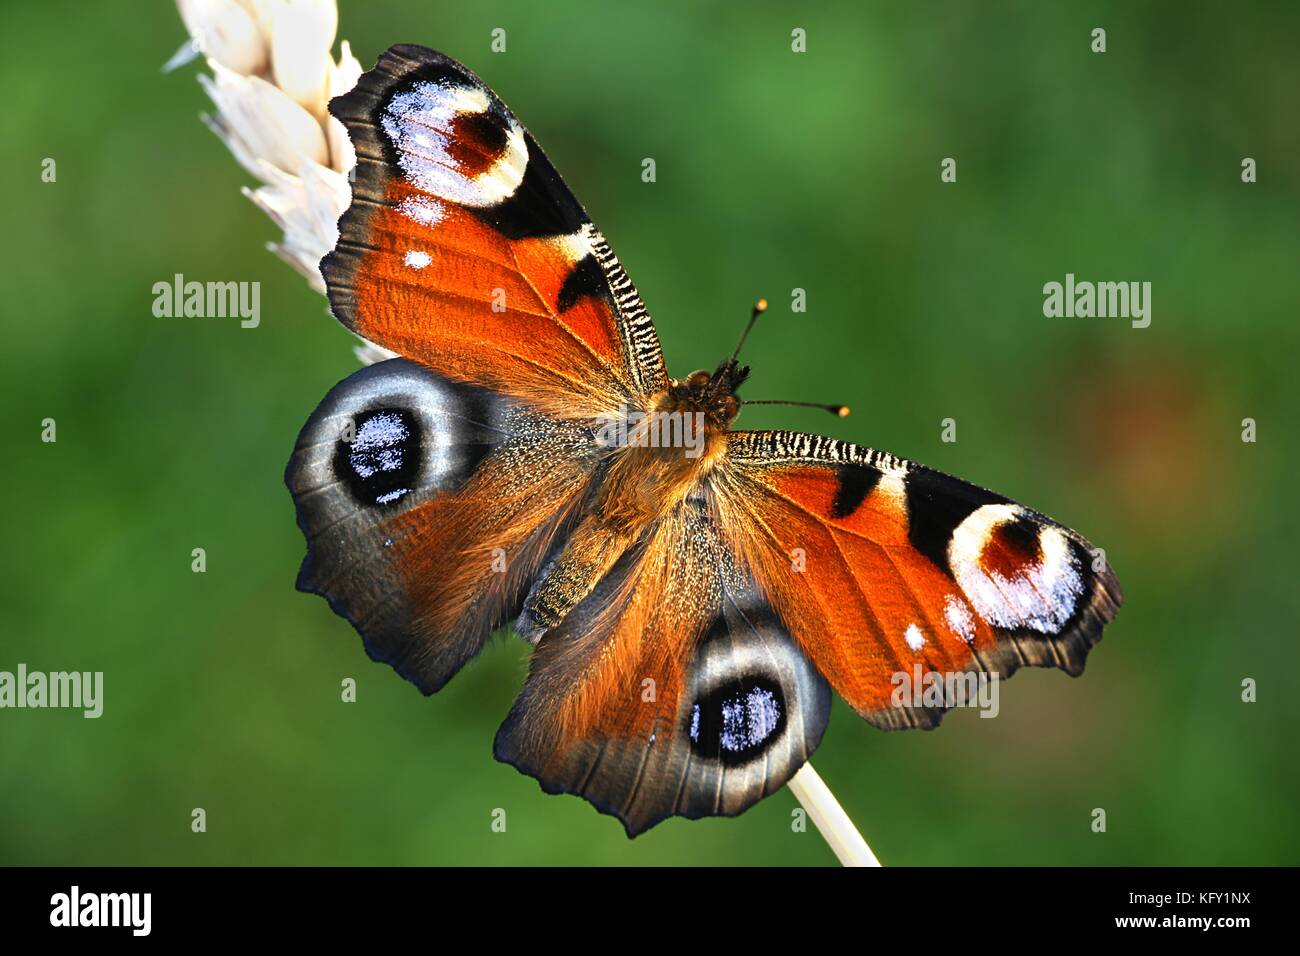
(694, 592)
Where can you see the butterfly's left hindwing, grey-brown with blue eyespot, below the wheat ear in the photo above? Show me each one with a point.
(428, 507)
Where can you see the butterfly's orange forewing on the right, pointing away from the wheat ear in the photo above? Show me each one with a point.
(878, 566)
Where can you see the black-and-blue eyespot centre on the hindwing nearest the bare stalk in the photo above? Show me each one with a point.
(738, 721)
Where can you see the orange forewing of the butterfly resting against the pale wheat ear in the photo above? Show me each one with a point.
(465, 250)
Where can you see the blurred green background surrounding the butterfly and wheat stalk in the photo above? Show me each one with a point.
(775, 171)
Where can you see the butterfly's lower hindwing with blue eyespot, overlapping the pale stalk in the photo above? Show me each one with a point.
(673, 690)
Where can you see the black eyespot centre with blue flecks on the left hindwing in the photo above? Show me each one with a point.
(380, 458)
